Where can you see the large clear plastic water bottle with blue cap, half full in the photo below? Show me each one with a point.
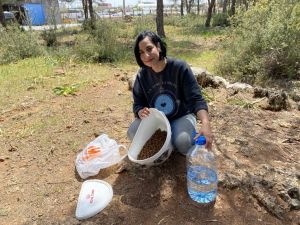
(202, 180)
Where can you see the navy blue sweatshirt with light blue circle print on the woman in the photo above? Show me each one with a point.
(173, 91)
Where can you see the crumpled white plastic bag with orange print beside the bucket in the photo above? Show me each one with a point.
(98, 154)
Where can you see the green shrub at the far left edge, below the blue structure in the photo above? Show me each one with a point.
(16, 44)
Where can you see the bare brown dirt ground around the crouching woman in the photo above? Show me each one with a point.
(257, 152)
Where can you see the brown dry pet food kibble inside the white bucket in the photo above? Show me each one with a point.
(153, 145)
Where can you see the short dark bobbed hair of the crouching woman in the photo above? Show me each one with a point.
(155, 39)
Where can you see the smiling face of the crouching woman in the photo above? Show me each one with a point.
(149, 52)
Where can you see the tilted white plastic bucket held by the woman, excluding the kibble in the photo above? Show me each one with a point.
(156, 120)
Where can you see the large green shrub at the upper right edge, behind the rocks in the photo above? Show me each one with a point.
(262, 42)
